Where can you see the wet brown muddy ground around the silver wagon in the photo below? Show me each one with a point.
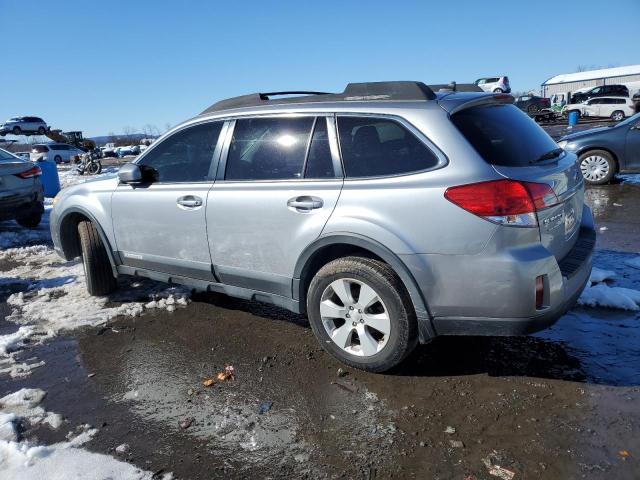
(561, 404)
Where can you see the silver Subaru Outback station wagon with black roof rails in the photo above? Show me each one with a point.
(388, 213)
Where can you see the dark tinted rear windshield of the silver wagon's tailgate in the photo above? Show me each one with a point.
(503, 135)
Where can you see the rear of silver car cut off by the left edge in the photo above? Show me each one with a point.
(21, 193)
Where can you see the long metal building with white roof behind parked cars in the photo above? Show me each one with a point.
(571, 82)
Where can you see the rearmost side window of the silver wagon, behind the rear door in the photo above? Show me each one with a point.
(373, 147)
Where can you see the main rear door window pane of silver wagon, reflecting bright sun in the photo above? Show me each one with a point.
(268, 148)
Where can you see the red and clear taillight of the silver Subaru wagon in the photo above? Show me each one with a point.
(507, 202)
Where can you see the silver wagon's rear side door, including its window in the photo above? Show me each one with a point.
(273, 195)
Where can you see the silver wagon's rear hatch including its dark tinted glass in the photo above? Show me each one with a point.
(518, 149)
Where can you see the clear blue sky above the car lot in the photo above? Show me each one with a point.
(101, 66)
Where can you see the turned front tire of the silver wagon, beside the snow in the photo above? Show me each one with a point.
(97, 268)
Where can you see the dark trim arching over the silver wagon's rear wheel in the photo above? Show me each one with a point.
(425, 327)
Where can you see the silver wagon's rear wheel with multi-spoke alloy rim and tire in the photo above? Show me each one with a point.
(361, 313)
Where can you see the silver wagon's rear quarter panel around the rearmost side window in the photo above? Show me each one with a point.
(409, 214)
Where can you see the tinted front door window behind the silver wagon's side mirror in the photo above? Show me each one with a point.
(186, 155)
